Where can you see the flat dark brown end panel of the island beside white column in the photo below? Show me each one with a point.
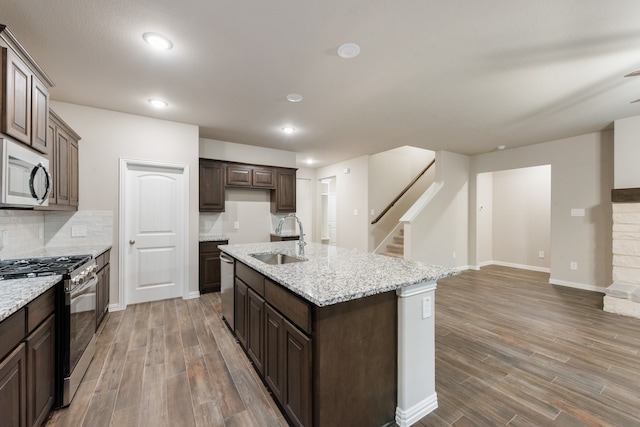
(355, 368)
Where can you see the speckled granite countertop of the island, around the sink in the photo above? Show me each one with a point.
(332, 274)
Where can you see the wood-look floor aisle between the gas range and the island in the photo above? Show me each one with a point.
(169, 363)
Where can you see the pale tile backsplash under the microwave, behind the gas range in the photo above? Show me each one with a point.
(24, 231)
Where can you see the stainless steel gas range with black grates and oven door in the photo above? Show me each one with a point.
(75, 314)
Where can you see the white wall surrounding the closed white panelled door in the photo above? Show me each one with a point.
(108, 136)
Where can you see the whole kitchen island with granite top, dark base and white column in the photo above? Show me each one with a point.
(339, 336)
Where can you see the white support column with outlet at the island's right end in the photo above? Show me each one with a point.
(416, 353)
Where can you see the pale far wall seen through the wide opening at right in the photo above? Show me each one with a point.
(522, 217)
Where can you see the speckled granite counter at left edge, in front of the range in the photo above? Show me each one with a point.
(16, 293)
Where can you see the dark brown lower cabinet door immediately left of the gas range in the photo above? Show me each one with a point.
(40, 372)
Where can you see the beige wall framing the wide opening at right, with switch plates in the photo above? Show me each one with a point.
(582, 177)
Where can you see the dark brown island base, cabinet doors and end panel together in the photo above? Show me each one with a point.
(325, 366)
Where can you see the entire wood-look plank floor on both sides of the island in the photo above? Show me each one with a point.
(511, 350)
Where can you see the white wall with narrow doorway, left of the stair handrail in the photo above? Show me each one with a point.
(352, 194)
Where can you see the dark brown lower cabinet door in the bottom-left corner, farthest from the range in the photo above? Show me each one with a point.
(13, 388)
